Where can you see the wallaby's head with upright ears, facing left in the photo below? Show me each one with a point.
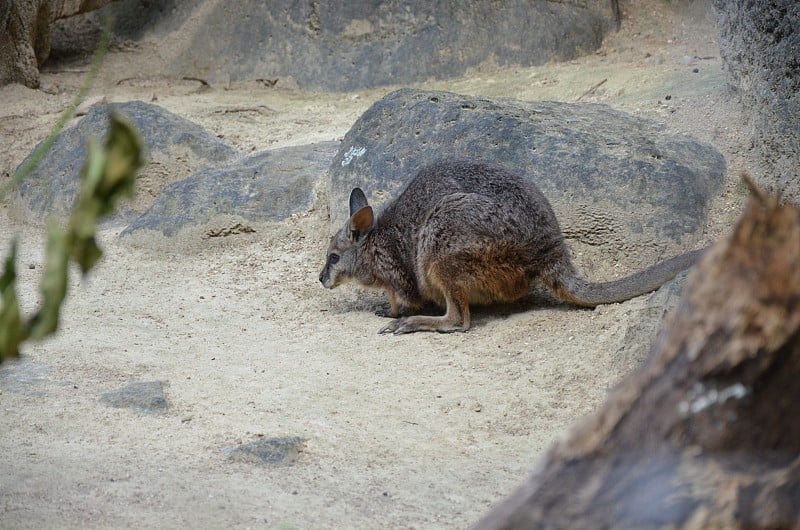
(344, 251)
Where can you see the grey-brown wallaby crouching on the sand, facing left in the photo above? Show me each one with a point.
(467, 232)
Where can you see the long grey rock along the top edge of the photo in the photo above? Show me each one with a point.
(351, 44)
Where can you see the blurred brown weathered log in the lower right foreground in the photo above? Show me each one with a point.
(706, 434)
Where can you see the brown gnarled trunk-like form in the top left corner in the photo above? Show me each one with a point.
(25, 34)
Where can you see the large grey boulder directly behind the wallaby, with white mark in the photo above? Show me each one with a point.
(618, 183)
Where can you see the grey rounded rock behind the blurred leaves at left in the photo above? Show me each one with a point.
(175, 148)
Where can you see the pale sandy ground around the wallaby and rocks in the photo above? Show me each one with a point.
(420, 431)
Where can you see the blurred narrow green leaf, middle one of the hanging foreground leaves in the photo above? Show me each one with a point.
(53, 285)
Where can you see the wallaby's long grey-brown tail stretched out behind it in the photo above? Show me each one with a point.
(572, 288)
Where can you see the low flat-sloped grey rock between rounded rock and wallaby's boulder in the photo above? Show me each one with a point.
(267, 186)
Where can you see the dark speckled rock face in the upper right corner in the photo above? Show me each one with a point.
(760, 45)
